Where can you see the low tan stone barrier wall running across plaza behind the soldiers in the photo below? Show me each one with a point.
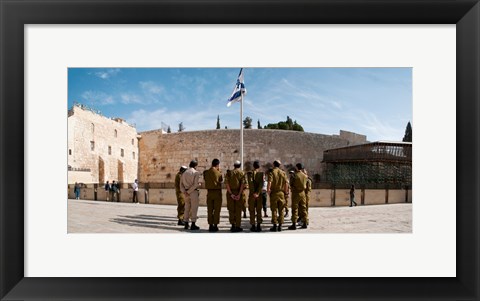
(318, 197)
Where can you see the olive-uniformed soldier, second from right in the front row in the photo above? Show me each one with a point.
(277, 189)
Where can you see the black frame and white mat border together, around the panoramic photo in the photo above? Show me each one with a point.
(35, 266)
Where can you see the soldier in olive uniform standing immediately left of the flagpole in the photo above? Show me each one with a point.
(235, 182)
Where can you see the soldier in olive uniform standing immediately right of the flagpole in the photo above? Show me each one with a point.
(255, 184)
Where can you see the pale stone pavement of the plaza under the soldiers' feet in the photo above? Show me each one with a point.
(106, 217)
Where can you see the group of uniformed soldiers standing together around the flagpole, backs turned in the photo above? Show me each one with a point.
(278, 187)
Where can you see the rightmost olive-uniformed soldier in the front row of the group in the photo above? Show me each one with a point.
(299, 185)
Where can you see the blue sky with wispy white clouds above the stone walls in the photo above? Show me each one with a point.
(376, 102)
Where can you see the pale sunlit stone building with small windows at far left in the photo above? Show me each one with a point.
(99, 148)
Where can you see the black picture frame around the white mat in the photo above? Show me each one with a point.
(15, 14)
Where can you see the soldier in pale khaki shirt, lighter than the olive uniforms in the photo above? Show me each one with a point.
(189, 187)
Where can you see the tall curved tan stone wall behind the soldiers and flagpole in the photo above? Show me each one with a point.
(162, 154)
